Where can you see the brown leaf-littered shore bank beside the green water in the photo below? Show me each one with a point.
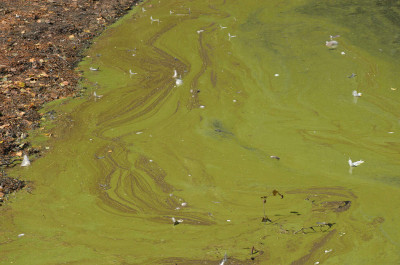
(41, 42)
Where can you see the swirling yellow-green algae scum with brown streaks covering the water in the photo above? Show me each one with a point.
(149, 170)
